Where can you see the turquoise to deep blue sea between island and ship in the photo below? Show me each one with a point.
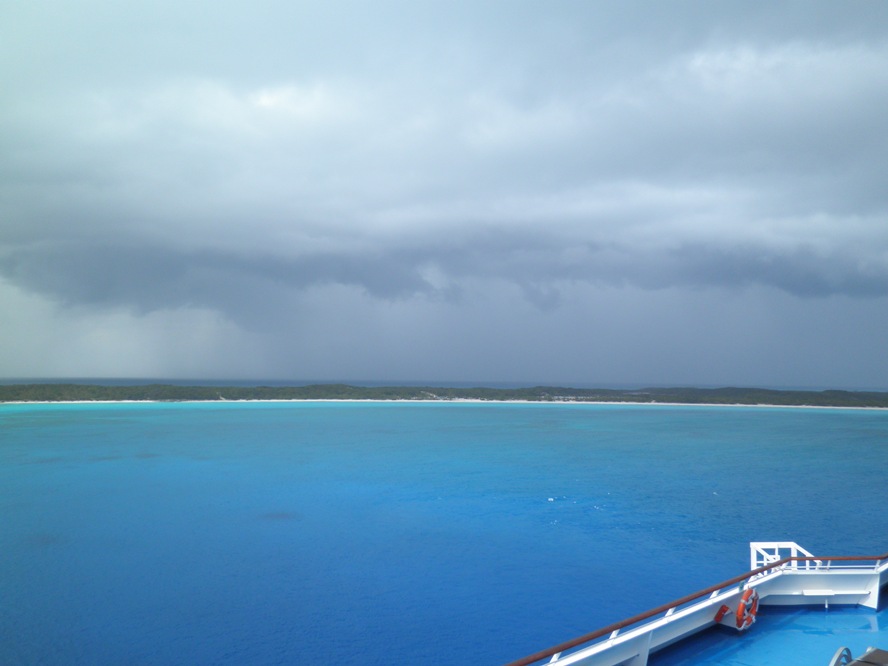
(395, 533)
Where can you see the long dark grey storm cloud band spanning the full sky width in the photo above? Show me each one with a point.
(148, 278)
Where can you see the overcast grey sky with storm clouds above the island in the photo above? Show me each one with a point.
(591, 193)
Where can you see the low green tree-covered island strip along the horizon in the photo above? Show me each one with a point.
(169, 392)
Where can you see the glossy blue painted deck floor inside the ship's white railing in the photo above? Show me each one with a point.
(784, 635)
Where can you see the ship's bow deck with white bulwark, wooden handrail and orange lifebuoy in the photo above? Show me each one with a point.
(810, 608)
